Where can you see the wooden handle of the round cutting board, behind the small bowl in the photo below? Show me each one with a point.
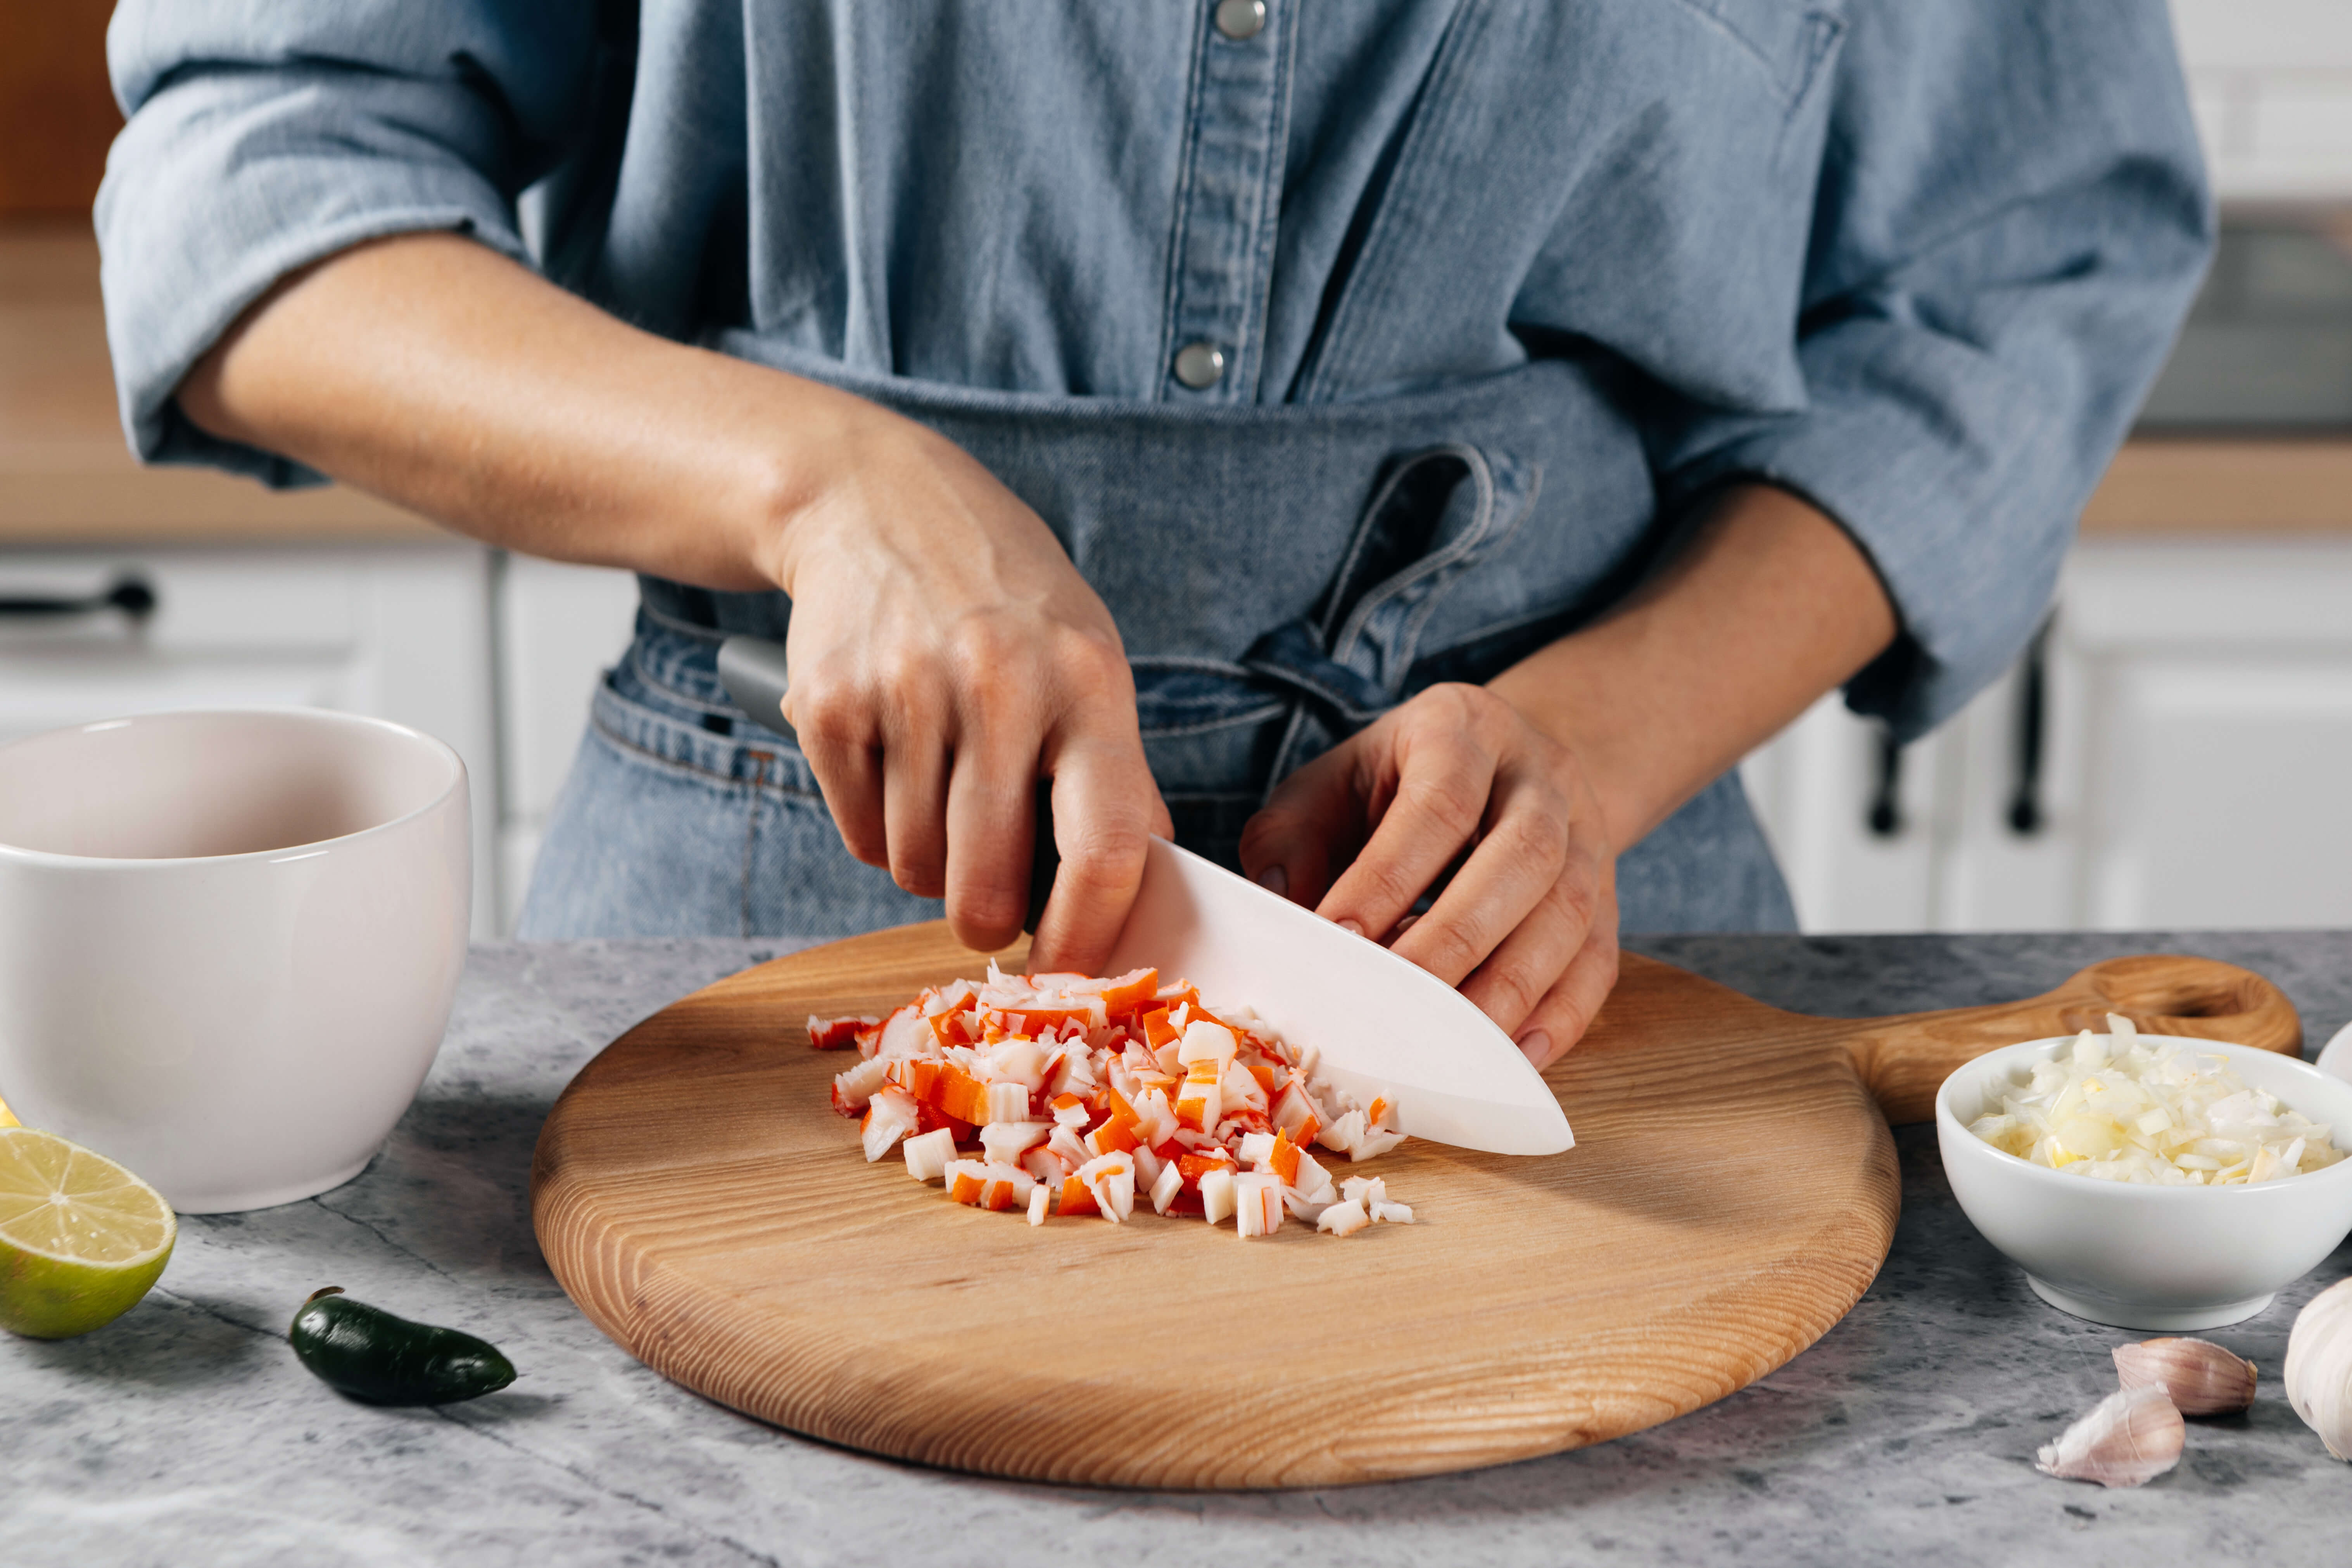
(1909, 1059)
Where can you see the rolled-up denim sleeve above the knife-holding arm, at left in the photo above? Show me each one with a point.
(267, 135)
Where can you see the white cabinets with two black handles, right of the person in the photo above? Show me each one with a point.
(2196, 749)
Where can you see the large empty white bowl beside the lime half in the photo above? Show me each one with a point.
(229, 942)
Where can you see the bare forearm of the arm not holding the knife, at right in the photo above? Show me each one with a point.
(1765, 610)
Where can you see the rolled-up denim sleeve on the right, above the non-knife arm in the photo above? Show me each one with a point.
(2010, 225)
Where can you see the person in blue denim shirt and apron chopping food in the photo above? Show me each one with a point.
(1408, 450)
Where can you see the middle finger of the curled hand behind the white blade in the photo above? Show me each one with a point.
(1516, 866)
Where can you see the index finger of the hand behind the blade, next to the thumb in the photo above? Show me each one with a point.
(1434, 812)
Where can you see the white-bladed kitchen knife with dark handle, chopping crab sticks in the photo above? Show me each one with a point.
(1382, 1026)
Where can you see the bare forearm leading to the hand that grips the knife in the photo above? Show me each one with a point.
(450, 380)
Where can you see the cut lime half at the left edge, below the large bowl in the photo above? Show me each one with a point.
(81, 1238)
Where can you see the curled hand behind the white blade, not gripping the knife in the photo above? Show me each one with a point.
(1528, 923)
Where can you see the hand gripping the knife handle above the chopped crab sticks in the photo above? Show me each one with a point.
(944, 655)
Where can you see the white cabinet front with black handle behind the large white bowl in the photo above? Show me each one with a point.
(396, 631)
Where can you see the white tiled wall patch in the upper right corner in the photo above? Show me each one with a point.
(2273, 93)
